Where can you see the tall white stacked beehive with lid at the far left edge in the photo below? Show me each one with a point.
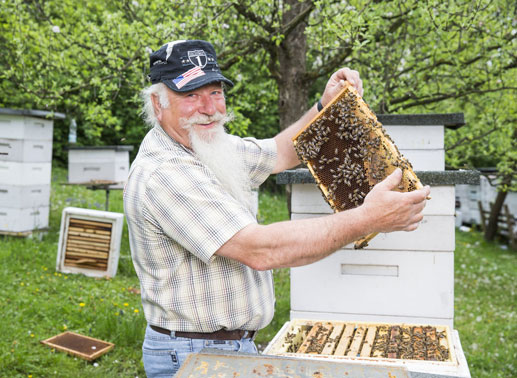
(25, 166)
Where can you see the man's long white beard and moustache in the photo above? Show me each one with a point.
(215, 150)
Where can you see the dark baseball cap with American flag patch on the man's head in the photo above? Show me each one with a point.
(186, 65)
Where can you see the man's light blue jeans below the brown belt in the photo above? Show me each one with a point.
(164, 354)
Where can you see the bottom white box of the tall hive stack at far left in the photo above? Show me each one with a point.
(14, 219)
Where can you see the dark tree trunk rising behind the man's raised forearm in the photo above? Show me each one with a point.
(293, 90)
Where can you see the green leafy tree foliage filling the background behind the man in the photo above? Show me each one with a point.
(89, 60)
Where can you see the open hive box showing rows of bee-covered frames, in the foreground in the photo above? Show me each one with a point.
(424, 348)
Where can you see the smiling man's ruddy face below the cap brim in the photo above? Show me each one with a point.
(205, 106)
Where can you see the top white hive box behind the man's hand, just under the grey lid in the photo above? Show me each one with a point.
(307, 199)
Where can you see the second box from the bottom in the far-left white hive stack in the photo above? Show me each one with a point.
(24, 196)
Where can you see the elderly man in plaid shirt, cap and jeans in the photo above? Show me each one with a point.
(203, 261)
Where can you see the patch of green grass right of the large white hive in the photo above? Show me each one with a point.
(486, 305)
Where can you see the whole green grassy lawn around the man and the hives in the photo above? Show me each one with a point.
(38, 302)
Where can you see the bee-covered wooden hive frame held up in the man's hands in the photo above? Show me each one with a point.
(347, 151)
